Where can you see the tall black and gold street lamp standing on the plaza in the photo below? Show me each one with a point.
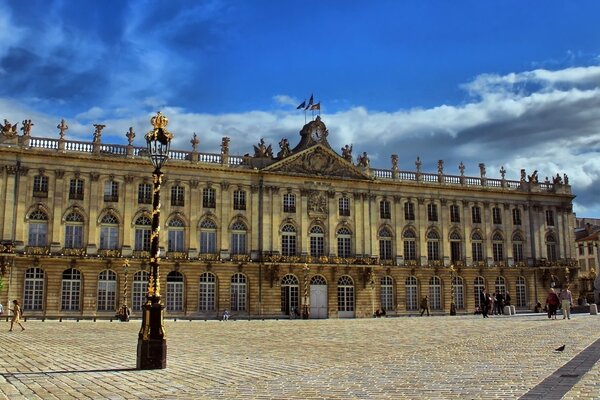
(152, 342)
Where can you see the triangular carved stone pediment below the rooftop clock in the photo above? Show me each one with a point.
(320, 161)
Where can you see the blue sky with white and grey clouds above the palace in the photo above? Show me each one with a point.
(507, 83)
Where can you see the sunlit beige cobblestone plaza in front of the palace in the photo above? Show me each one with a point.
(463, 357)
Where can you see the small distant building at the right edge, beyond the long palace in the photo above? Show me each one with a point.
(587, 233)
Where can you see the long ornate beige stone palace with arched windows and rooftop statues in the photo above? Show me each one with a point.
(263, 235)
